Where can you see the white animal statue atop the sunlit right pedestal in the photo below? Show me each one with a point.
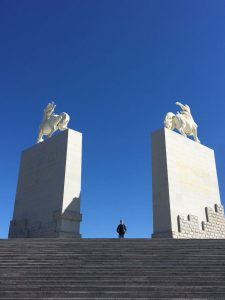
(182, 121)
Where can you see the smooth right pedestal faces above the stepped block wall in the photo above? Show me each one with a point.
(184, 179)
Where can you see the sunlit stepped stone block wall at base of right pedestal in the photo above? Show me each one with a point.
(213, 228)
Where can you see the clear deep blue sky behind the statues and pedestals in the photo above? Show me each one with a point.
(116, 67)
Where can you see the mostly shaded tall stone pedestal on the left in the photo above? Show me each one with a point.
(48, 192)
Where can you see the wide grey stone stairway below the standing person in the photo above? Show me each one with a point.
(112, 269)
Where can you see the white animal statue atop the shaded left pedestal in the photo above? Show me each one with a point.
(52, 122)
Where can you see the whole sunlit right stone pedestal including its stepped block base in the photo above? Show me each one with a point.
(186, 199)
